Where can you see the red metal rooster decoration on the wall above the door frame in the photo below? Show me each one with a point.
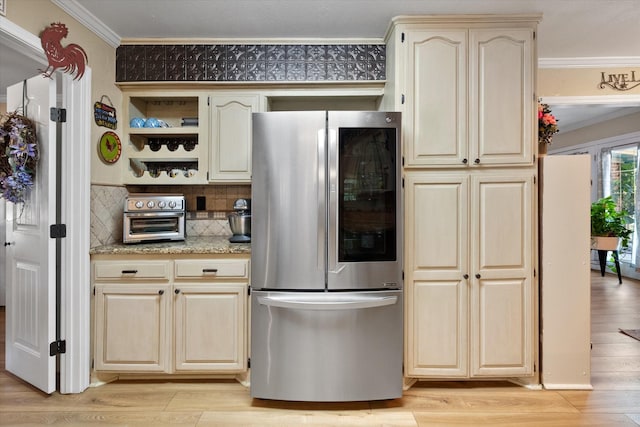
(70, 58)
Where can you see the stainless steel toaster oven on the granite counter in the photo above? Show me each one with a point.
(150, 217)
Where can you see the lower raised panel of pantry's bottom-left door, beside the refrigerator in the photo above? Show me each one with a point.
(437, 344)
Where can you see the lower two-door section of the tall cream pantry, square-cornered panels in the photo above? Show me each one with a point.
(469, 274)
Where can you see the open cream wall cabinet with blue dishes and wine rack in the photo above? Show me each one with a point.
(165, 138)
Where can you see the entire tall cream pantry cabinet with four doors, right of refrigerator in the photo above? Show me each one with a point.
(466, 88)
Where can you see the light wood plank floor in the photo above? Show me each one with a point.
(615, 400)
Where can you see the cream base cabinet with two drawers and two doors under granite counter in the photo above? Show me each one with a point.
(171, 316)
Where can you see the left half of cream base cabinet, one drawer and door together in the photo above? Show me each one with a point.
(132, 311)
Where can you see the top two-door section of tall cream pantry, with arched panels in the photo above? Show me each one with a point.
(466, 90)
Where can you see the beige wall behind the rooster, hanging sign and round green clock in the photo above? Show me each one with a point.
(36, 15)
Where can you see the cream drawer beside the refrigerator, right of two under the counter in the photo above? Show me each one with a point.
(212, 269)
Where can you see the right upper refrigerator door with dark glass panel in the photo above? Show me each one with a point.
(379, 272)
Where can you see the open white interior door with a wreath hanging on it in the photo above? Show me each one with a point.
(31, 288)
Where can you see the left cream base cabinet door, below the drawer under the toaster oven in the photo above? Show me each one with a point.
(132, 328)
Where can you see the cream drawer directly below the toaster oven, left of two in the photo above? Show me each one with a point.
(136, 270)
